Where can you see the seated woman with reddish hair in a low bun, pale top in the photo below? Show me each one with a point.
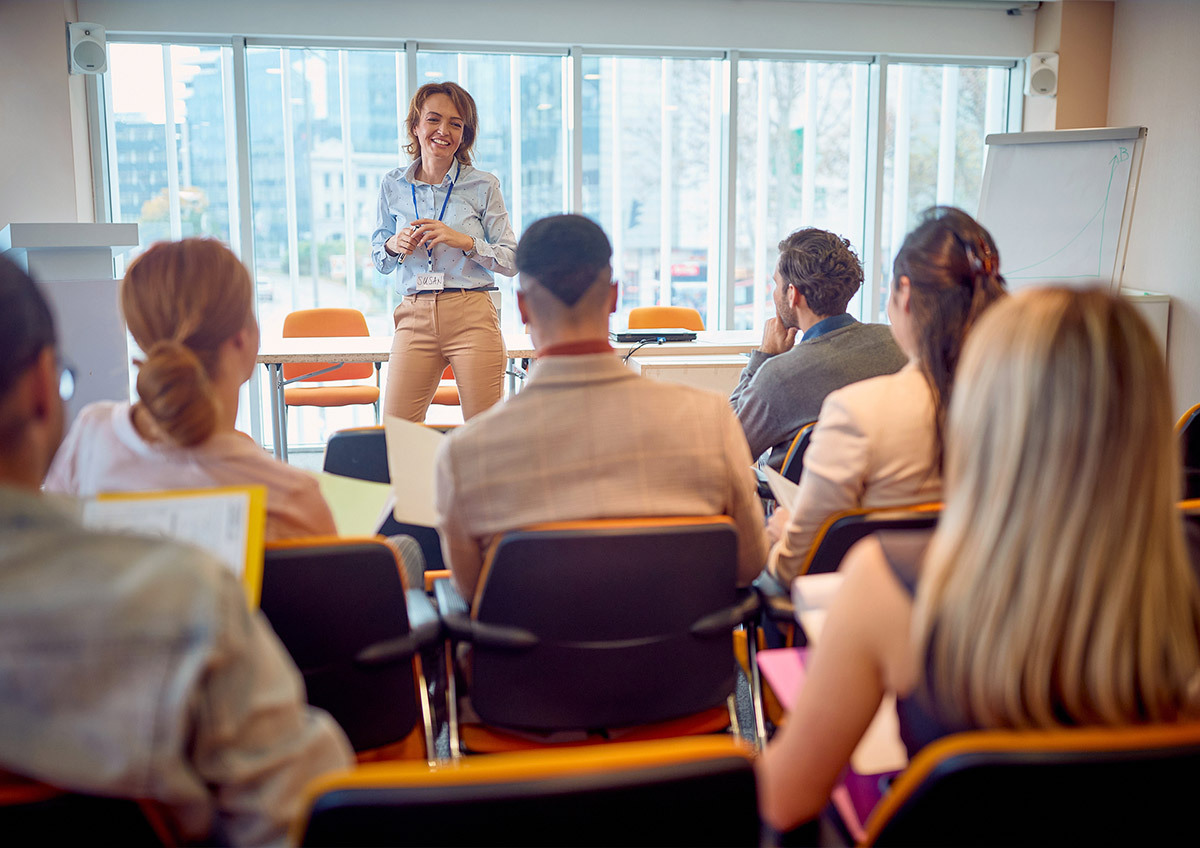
(188, 305)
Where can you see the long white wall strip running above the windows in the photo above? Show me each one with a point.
(752, 25)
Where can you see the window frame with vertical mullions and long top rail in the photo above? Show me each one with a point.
(98, 94)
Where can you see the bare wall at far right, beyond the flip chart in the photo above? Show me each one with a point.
(1155, 82)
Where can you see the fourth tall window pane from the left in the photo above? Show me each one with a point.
(651, 176)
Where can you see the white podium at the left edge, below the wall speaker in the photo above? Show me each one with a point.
(74, 264)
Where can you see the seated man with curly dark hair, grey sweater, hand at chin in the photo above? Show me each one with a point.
(787, 381)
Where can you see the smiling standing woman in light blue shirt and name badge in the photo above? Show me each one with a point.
(443, 225)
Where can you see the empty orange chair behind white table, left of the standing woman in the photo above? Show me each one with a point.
(332, 322)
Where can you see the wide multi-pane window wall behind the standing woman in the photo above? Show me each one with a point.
(694, 202)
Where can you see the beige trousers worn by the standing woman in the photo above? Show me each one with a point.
(459, 329)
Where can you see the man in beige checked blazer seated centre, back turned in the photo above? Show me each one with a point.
(589, 438)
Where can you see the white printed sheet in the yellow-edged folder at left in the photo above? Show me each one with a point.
(219, 524)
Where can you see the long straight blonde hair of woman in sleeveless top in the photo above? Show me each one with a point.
(1058, 590)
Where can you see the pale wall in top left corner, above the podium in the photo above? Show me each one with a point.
(45, 165)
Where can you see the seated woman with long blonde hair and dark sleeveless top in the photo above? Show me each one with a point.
(1057, 590)
